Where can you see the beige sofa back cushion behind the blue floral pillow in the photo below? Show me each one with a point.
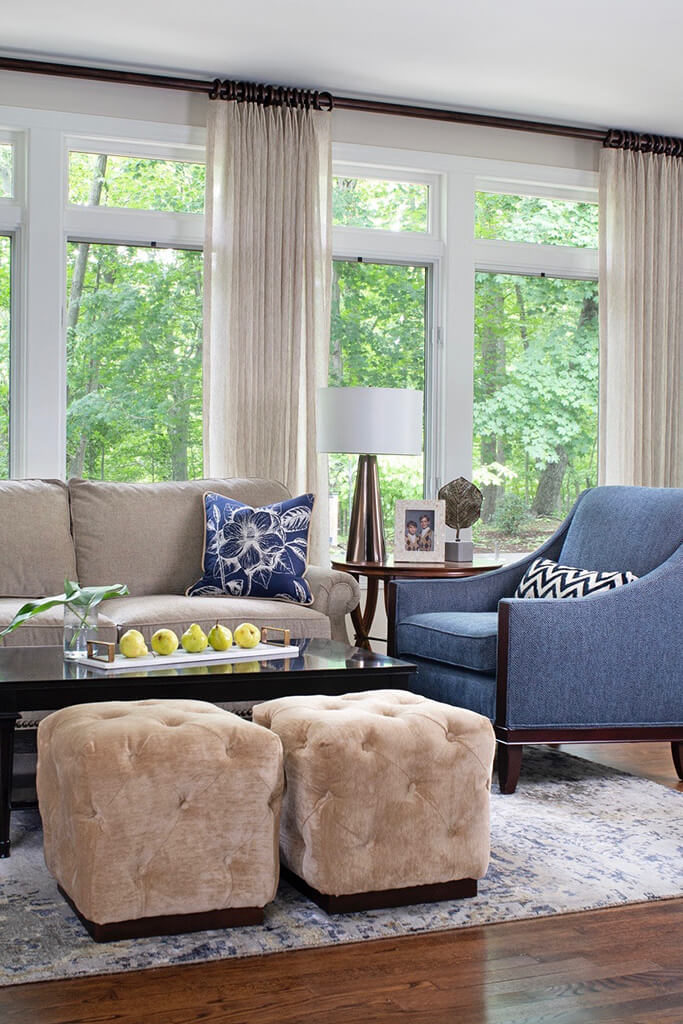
(150, 536)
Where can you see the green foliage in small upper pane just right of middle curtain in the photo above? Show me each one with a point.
(390, 206)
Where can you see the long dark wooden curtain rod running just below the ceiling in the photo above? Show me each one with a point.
(339, 103)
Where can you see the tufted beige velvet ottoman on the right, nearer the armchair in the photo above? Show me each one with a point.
(387, 798)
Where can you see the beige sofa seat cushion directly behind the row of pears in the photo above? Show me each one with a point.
(178, 612)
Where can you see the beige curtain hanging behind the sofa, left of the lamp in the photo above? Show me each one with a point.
(267, 322)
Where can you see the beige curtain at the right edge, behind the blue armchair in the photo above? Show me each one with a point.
(642, 310)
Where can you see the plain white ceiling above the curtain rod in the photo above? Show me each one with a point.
(596, 63)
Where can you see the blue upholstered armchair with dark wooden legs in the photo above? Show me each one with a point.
(606, 667)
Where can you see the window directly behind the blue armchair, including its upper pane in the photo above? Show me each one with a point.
(536, 370)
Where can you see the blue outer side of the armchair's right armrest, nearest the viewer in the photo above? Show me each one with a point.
(609, 660)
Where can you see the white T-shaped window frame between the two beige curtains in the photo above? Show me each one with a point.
(458, 255)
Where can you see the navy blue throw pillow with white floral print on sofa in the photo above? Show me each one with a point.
(255, 552)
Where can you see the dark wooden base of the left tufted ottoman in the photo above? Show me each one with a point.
(143, 928)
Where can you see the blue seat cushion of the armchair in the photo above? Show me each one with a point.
(466, 639)
